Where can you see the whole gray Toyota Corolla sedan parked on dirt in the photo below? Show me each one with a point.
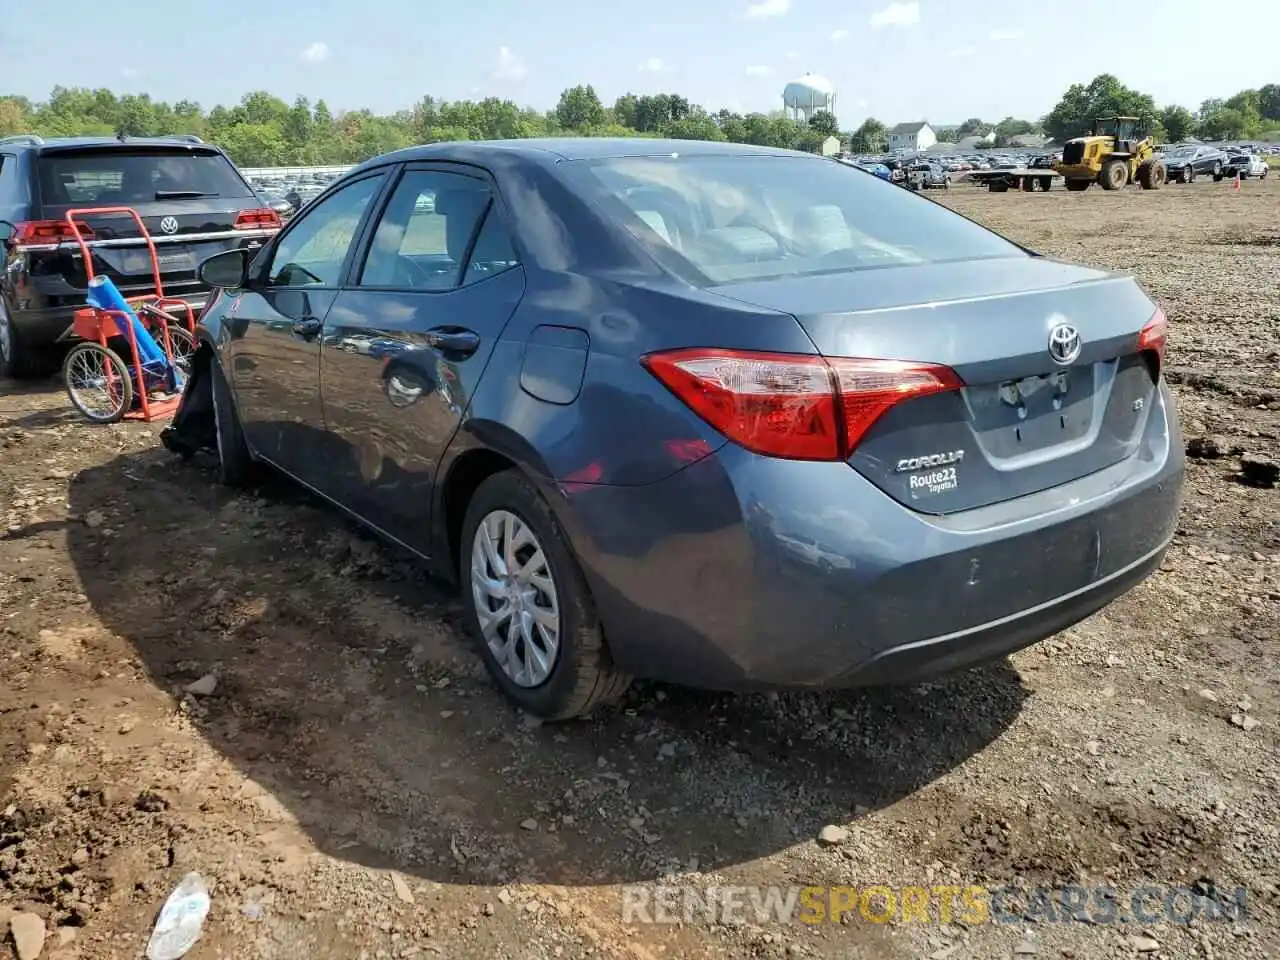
(702, 413)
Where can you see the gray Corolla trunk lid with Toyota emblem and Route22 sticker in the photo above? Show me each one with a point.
(1025, 420)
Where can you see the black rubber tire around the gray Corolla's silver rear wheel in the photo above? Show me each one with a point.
(583, 676)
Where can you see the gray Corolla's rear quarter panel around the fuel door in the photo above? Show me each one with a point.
(623, 427)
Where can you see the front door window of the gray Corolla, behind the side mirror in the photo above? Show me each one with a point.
(313, 253)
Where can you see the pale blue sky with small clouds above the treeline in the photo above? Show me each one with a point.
(943, 61)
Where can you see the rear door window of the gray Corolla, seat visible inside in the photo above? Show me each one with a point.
(426, 232)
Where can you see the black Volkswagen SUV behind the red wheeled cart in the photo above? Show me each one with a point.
(189, 194)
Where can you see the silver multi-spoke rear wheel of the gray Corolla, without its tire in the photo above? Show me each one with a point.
(515, 598)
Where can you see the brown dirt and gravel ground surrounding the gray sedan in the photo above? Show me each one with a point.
(354, 788)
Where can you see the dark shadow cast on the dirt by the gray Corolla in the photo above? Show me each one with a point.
(346, 693)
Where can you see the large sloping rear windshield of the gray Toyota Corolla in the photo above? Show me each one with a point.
(751, 218)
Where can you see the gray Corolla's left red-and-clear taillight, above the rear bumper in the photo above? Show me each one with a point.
(794, 406)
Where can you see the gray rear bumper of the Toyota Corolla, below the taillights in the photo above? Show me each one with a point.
(747, 573)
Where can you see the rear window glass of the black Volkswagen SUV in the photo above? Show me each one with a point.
(112, 177)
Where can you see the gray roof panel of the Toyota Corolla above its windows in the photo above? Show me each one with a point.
(552, 150)
